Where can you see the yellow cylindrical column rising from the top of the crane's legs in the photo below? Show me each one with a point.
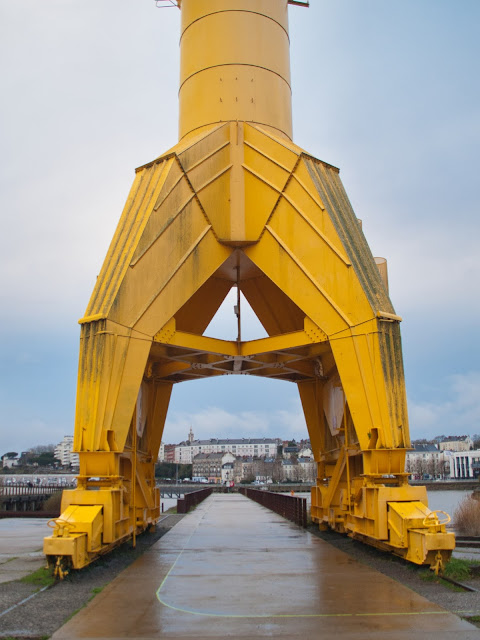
(235, 64)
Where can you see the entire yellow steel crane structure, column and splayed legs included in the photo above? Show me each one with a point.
(236, 203)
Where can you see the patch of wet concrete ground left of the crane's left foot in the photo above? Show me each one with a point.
(21, 544)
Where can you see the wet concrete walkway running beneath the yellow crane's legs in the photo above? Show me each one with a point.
(234, 569)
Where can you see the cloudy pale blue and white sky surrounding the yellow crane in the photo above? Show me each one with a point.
(387, 91)
